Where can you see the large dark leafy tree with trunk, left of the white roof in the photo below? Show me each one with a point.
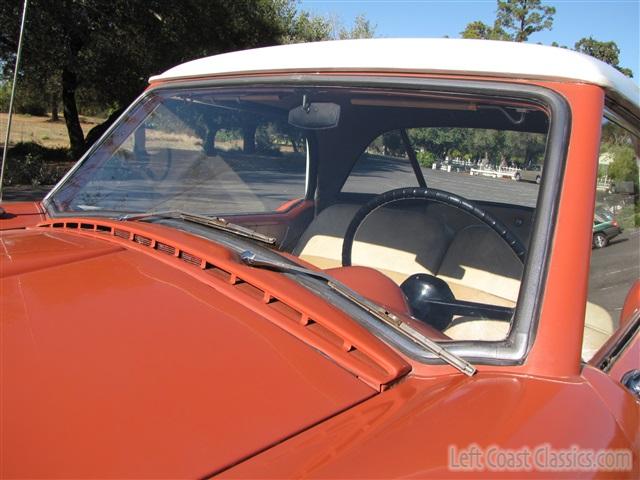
(110, 47)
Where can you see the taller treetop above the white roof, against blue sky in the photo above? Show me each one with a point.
(516, 20)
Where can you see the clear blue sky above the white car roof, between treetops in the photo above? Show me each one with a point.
(604, 20)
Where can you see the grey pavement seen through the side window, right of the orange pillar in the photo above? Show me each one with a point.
(613, 270)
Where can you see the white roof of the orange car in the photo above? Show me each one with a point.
(419, 55)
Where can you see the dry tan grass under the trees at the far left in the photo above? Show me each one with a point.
(27, 128)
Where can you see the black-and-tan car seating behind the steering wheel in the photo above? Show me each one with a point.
(475, 262)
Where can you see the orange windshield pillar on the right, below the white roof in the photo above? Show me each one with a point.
(557, 348)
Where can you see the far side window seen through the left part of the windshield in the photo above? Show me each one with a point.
(203, 151)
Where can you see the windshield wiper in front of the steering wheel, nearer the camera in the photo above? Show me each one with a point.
(251, 259)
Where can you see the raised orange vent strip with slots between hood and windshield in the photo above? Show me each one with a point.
(370, 360)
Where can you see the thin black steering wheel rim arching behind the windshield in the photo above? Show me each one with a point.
(433, 195)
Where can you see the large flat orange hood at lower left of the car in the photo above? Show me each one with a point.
(116, 364)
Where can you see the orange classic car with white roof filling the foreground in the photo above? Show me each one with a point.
(251, 275)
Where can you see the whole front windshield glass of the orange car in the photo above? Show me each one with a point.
(296, 163)
